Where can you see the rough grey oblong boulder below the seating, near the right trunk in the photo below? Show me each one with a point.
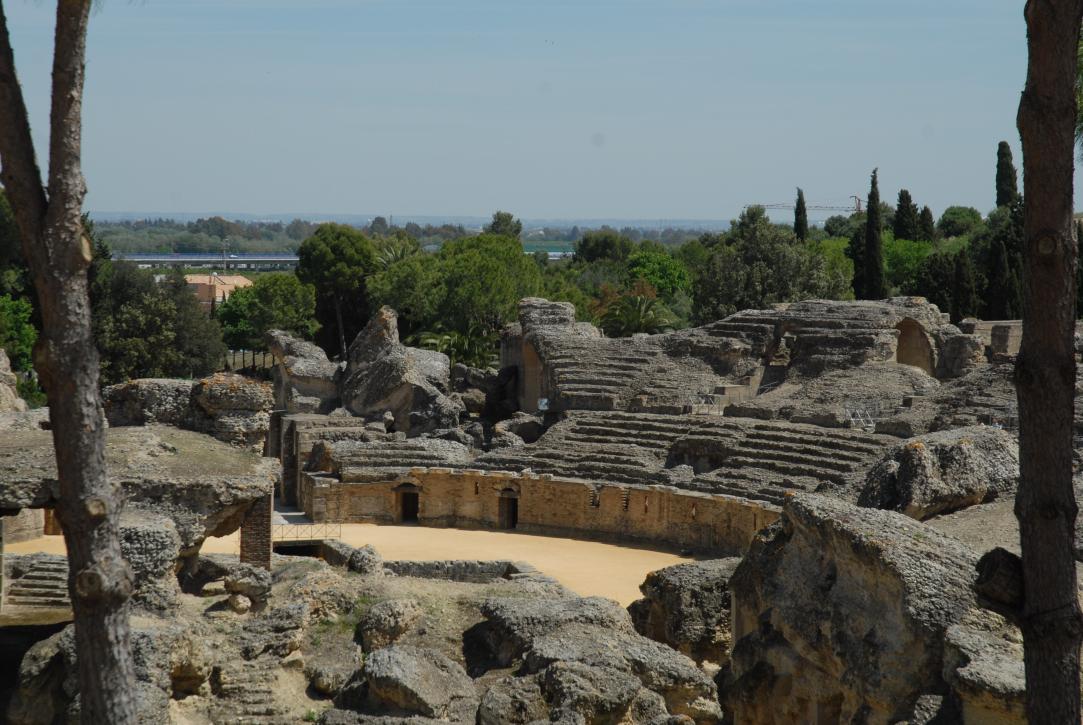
(944, 472)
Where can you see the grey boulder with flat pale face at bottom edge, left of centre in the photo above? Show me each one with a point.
(411, 681)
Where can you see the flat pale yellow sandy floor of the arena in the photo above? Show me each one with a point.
(588, 568)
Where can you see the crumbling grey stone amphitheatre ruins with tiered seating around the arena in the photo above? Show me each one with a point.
(828, 473)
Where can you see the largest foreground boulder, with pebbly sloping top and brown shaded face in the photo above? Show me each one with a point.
(840, 614)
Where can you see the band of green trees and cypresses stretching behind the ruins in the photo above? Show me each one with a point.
(455, 290)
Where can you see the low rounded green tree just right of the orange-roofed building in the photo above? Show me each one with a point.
(278, 301)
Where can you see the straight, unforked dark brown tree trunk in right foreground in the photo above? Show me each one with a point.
(1046, 369)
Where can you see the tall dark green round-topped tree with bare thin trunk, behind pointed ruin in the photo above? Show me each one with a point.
(336, 261)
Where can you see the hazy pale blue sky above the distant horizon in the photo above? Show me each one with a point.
(628, 109)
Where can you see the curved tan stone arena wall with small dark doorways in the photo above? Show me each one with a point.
(564, 508)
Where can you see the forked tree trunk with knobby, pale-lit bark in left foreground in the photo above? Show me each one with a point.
(59, 254)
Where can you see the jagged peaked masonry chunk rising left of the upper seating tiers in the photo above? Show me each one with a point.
(384, 376)
